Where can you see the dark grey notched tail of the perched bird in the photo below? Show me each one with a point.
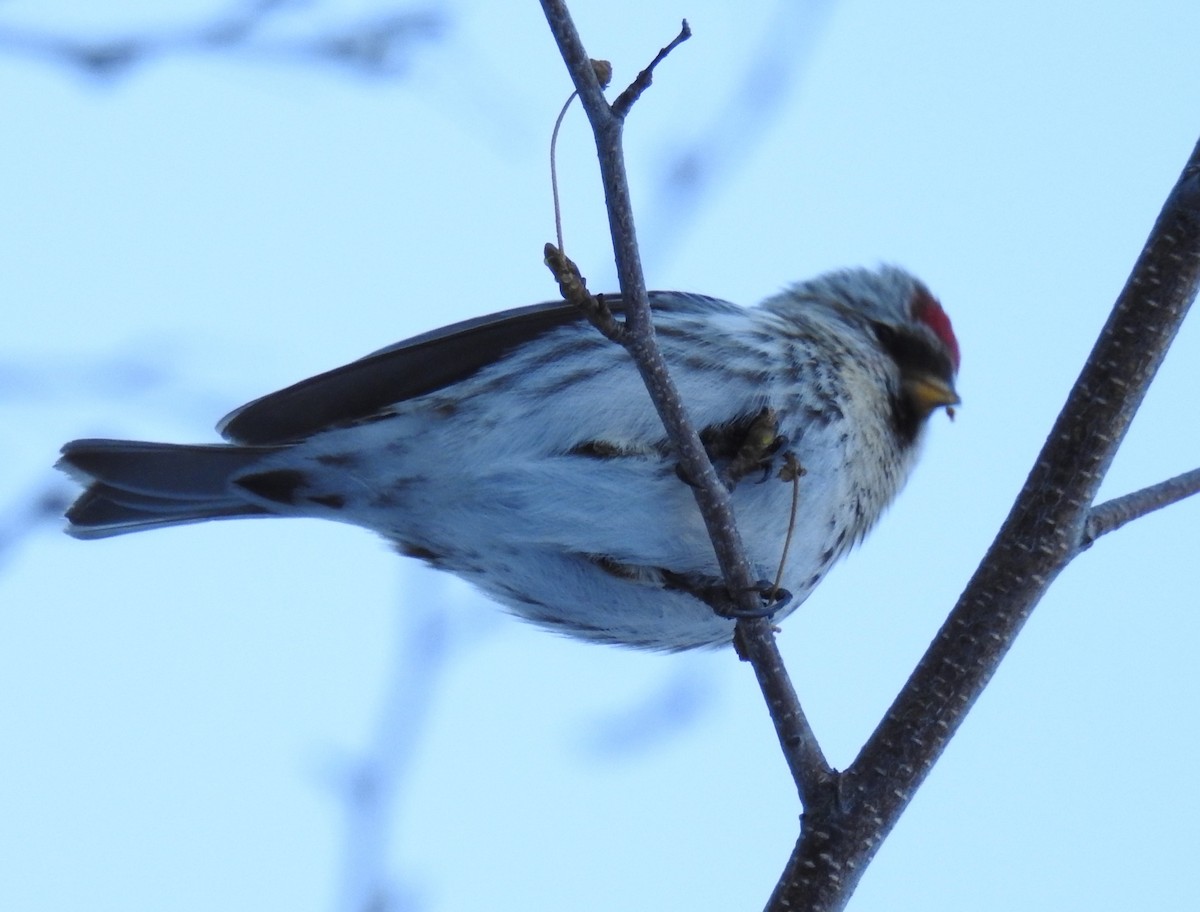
(134, 487)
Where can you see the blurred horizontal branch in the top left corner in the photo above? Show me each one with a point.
(382, 45)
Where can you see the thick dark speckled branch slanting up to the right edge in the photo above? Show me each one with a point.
(1039, 539)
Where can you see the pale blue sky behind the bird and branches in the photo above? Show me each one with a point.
(286, 716)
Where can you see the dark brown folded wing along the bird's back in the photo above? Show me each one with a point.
(415, 368)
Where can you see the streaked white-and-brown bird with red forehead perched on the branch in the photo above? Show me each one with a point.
(523, 453)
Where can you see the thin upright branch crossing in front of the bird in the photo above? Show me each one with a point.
(755, 635)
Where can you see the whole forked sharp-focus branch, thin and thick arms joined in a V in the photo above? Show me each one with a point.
(848, 818)
